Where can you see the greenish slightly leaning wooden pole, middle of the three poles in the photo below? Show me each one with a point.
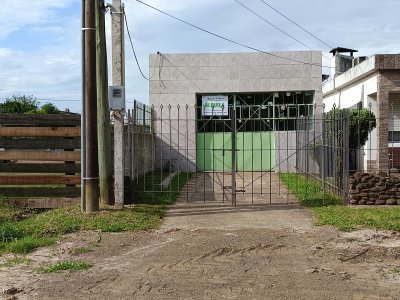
(103, 112)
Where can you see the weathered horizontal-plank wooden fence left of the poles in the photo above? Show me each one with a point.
(37, 151)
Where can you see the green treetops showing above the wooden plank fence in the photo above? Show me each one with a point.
(26, 105)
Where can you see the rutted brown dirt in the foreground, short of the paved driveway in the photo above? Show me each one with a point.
(226, 264)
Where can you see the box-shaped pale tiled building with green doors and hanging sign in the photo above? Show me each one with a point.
(267, 90)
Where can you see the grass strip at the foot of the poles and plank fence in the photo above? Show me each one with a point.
(44, 228)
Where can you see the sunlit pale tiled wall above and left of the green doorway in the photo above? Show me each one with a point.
(175, 79)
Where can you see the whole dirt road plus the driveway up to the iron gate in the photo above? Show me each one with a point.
(245, 253)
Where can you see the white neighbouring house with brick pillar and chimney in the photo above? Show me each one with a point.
(372, 82)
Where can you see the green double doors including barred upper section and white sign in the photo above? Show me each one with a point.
(238, 137)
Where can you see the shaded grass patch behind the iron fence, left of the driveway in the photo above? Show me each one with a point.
(149, 190)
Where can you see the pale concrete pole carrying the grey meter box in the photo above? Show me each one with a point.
(118, 78)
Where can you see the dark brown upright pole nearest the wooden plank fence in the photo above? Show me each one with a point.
(91, 180)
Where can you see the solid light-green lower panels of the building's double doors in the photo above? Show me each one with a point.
(255, 151)
